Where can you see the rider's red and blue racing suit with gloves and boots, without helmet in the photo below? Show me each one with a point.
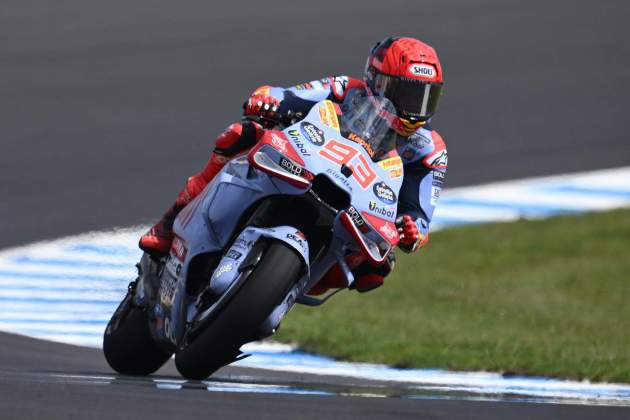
(423, 153)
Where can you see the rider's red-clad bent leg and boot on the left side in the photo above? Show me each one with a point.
(236, 140)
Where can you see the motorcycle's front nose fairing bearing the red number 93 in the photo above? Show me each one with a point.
(350, 162)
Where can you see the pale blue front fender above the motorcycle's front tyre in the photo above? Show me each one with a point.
(231, 264)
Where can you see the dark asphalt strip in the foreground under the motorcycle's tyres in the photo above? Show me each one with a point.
(39, 380)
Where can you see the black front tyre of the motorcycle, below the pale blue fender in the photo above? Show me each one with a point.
(239, 321)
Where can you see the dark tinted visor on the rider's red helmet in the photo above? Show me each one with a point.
(412, 98)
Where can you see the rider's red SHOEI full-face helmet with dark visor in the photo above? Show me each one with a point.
(408, 73)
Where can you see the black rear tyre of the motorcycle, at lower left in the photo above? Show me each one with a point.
(127, 343)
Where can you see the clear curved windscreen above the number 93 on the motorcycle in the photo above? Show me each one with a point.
(365, 121)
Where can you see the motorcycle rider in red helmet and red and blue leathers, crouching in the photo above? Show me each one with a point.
(404, 70)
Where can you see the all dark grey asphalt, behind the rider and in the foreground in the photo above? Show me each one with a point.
(106, 107)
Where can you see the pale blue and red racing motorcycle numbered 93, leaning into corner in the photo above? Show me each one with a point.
(260, 236)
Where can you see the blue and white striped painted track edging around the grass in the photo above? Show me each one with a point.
(65, 290)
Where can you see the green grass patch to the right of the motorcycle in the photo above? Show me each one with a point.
(548, 297)
